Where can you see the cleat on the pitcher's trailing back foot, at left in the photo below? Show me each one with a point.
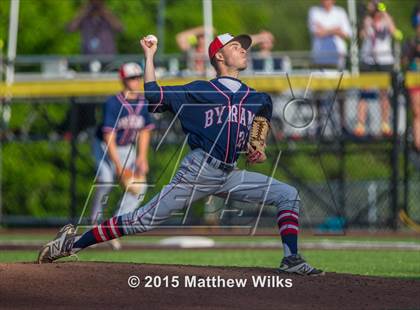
(60, 247)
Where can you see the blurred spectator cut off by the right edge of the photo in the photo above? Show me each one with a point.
(411, 62)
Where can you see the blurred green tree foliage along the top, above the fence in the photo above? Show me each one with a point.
(42, 26)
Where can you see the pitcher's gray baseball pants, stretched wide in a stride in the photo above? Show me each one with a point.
(197, 178)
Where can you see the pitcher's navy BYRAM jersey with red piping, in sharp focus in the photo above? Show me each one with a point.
(214, 118)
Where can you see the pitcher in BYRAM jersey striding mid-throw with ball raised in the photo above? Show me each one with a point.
(218, 116)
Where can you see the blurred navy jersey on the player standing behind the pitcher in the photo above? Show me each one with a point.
(125, 118)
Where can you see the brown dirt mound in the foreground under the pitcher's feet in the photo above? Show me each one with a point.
(93, 285)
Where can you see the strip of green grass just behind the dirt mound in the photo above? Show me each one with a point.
(401, 264)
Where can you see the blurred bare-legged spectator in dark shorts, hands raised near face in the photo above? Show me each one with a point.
(376, 55)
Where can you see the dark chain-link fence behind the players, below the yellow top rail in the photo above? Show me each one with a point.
(346, 149)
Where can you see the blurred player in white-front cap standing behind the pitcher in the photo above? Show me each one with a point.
(126, 125)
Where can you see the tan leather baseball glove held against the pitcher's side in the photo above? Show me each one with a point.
(257, 140)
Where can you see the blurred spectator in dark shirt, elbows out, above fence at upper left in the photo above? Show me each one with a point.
(98, 27)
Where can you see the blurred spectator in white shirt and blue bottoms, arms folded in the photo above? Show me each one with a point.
(329, 27)
